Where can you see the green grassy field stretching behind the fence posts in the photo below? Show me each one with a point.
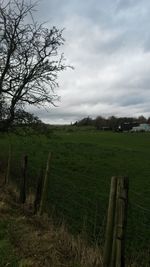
(83, 163)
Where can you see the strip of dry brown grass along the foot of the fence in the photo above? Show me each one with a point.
(38, 242)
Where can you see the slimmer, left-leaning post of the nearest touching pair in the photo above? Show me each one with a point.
(110, 223)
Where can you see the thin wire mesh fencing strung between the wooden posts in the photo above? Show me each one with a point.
(83, 206)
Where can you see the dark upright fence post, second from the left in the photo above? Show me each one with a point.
(23, 180)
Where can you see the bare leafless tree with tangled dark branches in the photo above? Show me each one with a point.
(29, 58)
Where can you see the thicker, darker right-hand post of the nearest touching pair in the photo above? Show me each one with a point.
(121, 209)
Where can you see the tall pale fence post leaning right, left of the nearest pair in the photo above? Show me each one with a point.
(43, 197)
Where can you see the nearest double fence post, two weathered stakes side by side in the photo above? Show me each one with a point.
(114, 248)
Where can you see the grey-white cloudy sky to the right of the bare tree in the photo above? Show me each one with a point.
(108, 43)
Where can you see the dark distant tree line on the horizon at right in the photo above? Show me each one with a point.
(112, 123)
